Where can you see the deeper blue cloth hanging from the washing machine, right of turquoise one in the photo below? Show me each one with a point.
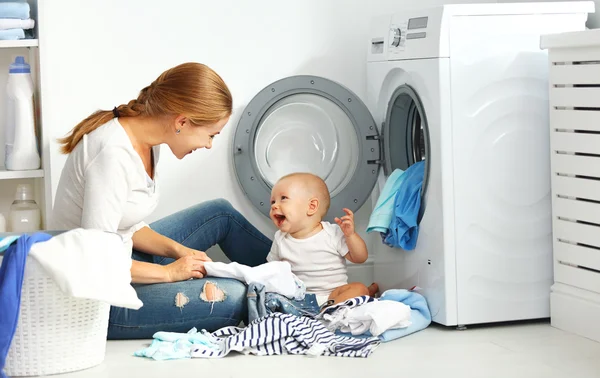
(404, 229)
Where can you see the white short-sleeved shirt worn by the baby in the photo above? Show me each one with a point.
(318, 260)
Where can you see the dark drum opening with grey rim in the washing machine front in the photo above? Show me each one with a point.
(406, 135)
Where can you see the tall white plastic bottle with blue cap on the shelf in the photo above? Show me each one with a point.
(21, 152)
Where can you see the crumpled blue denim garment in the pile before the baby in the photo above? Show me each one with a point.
(261, 303)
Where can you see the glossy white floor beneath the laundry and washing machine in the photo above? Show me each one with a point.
(507, 351)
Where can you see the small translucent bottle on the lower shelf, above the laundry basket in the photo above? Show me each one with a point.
(24, 215)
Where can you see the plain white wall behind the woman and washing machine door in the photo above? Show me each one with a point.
(99, 54)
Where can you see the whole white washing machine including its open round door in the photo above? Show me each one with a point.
(464, 88)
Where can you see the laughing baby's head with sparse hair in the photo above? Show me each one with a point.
(299, 201)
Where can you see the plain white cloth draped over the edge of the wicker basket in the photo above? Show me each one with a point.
(89, 264)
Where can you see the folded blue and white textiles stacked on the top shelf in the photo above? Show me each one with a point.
(15, 20)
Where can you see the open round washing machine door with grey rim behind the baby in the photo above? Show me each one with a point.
(307, 124)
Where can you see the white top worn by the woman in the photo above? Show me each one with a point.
(104, 185)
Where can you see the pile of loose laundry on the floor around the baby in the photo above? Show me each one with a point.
(279, 325)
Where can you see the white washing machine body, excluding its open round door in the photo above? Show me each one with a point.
(468, 85)
